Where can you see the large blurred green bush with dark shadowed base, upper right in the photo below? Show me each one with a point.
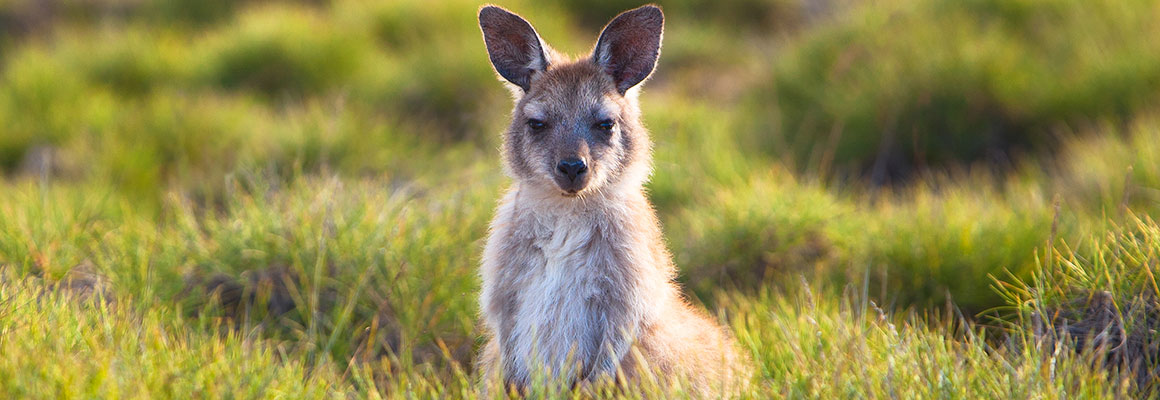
(887, 91)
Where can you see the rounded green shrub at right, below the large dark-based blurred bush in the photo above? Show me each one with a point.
(926, 250)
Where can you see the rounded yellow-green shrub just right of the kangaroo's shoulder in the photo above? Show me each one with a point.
(758, 234)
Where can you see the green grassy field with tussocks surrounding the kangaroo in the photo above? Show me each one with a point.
(902, 199)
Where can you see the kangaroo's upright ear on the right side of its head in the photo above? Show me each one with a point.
(629, 47)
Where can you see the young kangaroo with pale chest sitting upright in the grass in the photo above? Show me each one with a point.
(576, 277)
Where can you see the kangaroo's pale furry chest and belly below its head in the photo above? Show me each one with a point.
(568, 286)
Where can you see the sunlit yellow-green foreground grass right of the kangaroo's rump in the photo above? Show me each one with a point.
(821, 346)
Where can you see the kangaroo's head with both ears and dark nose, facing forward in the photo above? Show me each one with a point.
(576, 128)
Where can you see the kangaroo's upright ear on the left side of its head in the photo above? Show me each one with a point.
(513, 46)
